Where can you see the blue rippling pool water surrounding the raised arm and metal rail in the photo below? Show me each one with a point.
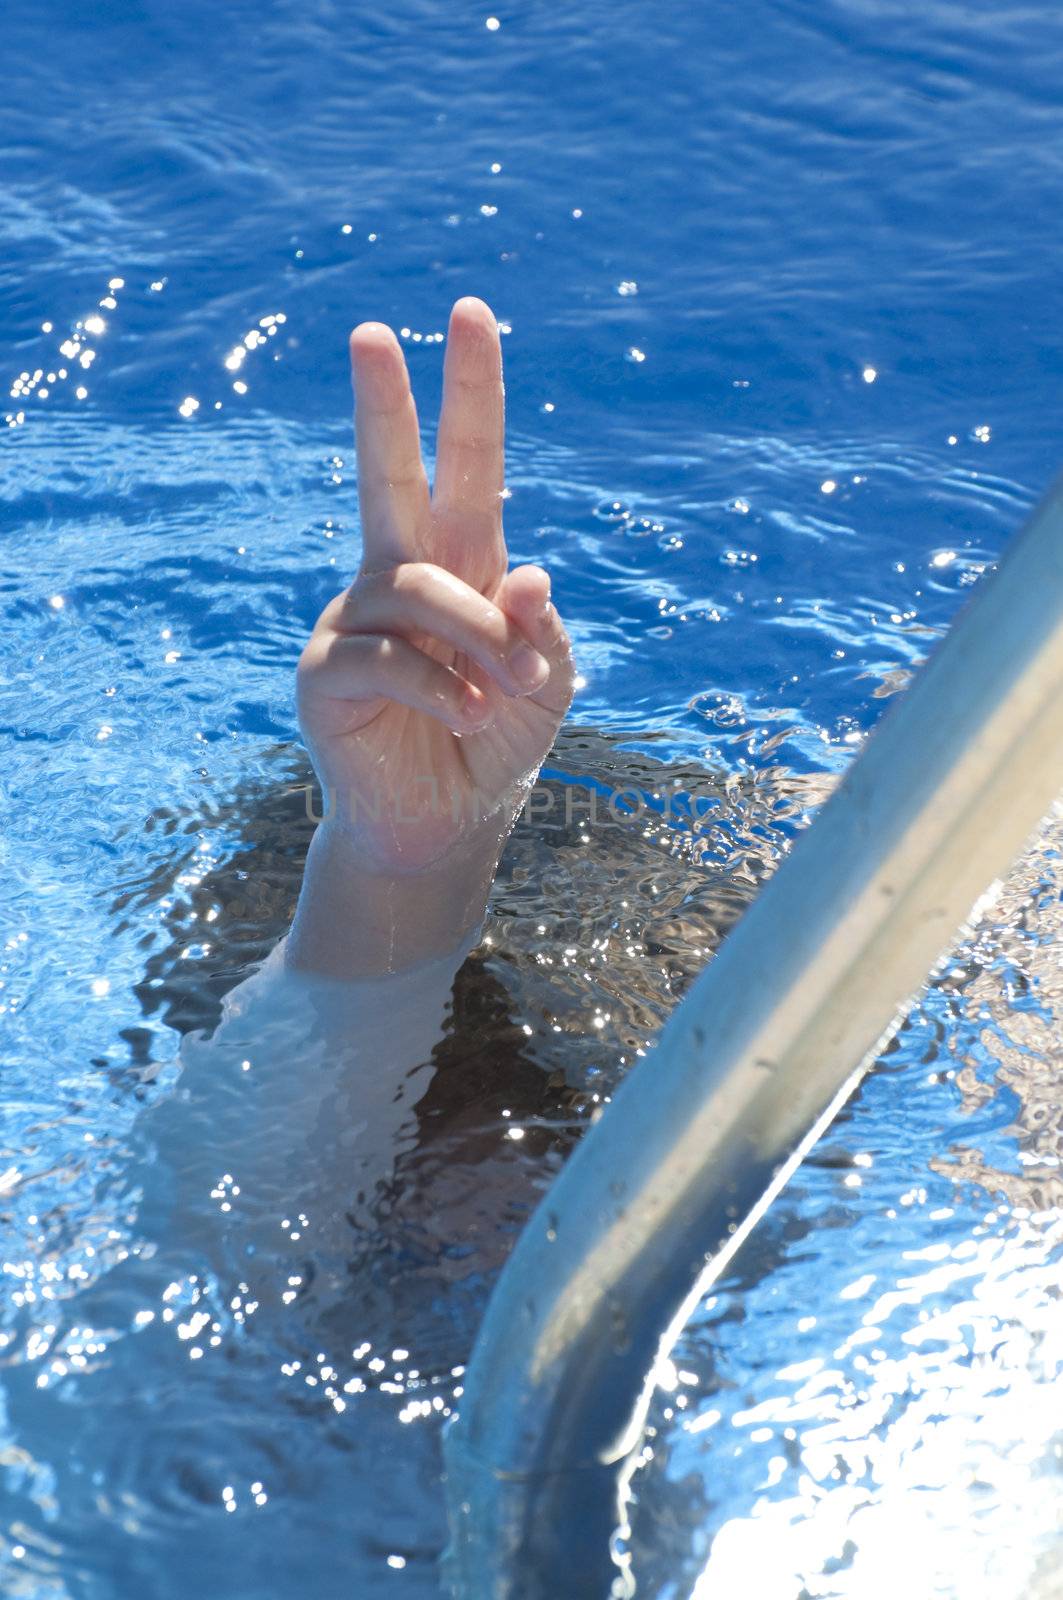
(780, 297)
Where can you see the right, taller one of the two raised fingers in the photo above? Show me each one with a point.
(470, 460)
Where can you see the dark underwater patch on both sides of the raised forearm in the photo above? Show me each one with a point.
(608, 903)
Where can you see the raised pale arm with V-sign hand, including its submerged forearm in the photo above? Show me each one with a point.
(414, 697)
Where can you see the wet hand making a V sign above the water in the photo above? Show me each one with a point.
(435, 686)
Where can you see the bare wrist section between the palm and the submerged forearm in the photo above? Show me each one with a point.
(356, 924)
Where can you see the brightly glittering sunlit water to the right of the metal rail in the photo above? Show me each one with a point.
(870, 1401)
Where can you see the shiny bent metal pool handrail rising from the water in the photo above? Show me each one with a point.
(748, 1073)
